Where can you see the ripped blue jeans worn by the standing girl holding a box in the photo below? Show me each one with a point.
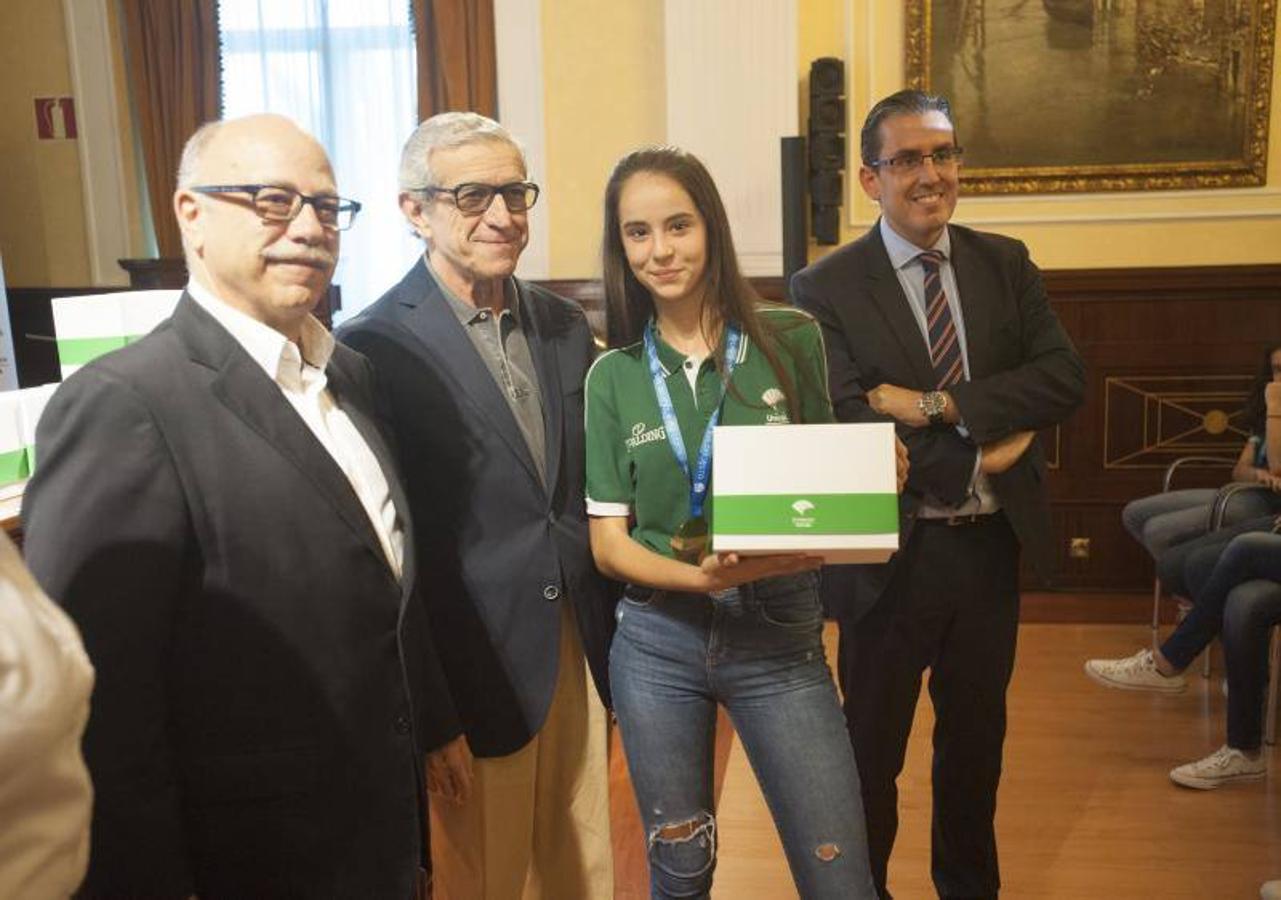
(758, 651)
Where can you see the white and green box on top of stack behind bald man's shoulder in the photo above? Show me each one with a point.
(94, 325)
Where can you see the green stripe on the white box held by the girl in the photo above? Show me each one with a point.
(805, 514)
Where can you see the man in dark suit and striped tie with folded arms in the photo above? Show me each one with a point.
(949, 332)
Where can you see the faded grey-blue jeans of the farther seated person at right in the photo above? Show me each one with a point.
(1164, 520)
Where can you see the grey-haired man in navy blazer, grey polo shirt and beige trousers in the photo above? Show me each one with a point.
(484, 381)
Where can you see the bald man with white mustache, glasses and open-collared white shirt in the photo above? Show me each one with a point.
(221, 514)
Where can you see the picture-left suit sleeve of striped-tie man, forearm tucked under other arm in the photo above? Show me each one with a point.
(942, 460)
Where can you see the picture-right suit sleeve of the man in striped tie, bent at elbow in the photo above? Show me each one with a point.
(1048, 381)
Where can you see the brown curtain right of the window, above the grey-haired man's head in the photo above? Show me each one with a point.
(457, 66)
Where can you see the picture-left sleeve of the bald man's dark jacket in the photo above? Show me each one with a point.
(107, 537)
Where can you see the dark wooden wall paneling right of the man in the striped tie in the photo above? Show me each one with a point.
(1169, 357)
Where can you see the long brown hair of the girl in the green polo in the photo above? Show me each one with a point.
(628, 305)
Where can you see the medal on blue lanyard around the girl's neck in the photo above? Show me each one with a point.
(690, 542)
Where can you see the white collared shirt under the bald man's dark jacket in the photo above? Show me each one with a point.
(300, 377)
